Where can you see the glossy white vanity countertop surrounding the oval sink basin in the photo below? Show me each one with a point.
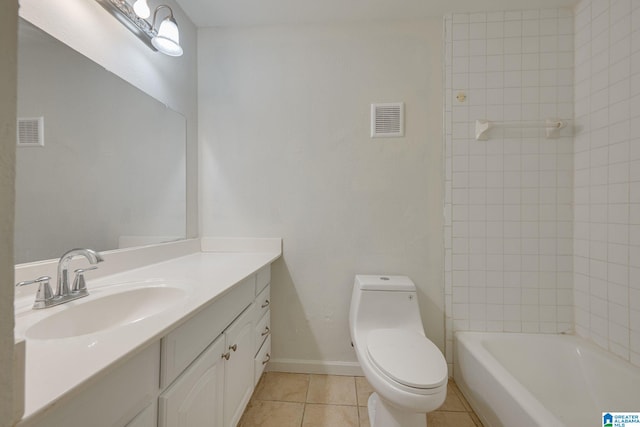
(58, 369)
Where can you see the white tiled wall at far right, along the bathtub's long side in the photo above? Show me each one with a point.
(607, 175)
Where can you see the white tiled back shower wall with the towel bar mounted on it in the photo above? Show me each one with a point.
(508, 200)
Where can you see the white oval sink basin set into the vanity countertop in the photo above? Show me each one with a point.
(109, 311)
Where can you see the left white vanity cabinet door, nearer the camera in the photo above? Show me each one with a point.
(195, 398)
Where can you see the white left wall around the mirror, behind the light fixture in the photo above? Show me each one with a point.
(88, 28)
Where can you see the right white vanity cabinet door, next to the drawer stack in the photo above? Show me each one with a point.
(238, 384)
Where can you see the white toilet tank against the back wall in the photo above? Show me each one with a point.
(380, 301)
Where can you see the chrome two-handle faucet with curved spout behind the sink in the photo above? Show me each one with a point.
(46, 298)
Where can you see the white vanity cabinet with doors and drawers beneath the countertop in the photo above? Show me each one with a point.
(201, 371)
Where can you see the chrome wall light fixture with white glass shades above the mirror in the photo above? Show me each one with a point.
(164, 38)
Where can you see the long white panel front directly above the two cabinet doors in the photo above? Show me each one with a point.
(182, 345)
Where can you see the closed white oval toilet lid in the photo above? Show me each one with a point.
(407, 357)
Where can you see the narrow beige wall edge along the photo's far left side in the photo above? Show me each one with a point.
(8, 84)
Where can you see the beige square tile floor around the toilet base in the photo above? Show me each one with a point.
(307, 400)
